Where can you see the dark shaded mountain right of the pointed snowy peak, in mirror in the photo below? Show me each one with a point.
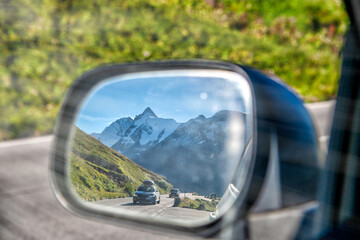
(194, 157)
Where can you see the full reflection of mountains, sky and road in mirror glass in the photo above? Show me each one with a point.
(165, 144)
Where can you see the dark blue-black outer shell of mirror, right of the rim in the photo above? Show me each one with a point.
(280, 110)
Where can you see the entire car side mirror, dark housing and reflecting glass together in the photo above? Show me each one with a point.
(213, 129)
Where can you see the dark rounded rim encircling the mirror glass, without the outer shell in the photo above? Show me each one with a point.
(59, 158)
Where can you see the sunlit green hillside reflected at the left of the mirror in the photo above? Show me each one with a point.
(98, 172)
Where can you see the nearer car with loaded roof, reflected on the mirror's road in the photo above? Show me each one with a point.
(147, 194)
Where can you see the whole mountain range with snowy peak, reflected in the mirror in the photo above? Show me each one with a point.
(194, 156)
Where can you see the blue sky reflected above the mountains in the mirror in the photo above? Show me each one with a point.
(180, 98)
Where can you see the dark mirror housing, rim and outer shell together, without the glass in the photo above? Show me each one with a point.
(284, 137)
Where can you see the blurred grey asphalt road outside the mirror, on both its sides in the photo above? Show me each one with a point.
(29, 210)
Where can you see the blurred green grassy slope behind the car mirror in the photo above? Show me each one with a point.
(46, 44)
